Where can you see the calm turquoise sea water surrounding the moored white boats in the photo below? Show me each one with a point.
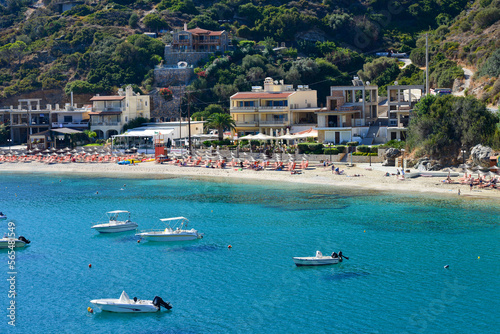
(393, 282)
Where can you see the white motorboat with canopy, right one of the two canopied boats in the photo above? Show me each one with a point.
(175, 231)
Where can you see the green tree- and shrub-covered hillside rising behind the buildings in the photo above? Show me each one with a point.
(99, 45)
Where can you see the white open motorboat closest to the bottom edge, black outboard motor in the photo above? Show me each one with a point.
(126, 305)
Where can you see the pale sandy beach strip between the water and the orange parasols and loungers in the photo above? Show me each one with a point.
(370, 177)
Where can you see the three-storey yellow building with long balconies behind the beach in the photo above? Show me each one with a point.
(275, 106)
